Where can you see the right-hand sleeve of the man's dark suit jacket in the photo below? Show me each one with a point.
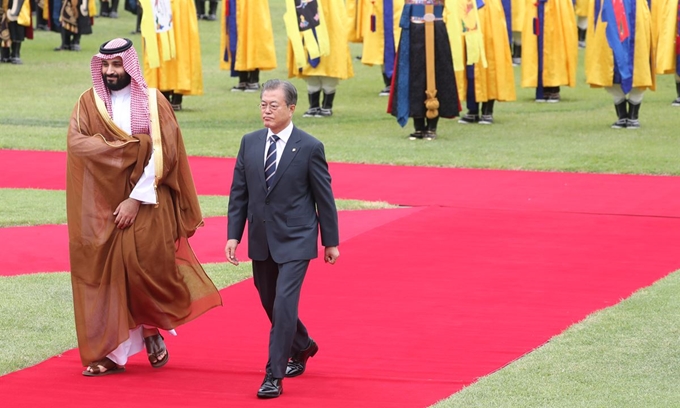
(320, 181)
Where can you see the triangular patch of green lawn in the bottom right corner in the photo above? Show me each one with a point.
(623, 356)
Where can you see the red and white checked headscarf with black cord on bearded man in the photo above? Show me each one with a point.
(139, 100)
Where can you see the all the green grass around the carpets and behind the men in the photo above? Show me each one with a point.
(624, 356)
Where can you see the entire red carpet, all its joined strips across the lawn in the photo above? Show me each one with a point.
(422, 302)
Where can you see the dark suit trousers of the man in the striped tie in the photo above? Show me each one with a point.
(279, 287)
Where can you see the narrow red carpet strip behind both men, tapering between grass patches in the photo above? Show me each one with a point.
(44, 248)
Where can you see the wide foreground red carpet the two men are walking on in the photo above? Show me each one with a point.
(400, 324)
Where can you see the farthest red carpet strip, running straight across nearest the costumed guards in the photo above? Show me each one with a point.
(418, 186)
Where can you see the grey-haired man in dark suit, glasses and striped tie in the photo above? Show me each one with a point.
(282, 187)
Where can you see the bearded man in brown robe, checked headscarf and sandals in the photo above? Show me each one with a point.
(132, 206)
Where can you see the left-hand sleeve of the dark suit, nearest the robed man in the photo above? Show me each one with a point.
(238, 198)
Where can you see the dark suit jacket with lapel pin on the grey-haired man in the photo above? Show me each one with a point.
(285, 220)
